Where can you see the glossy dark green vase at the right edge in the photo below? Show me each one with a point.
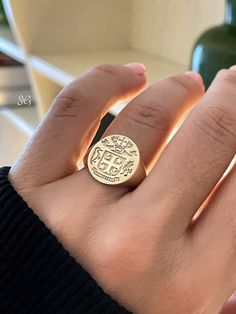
(216, 48)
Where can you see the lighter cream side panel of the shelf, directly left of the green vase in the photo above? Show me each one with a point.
(168, 28)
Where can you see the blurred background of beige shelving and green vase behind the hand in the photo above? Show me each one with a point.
(45, 44)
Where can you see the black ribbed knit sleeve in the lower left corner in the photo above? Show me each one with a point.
(37, 275)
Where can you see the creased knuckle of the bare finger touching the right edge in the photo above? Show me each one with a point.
(218, 123)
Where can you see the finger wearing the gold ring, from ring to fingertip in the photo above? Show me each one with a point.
(152, 115)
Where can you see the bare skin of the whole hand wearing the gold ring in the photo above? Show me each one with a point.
(142, 245)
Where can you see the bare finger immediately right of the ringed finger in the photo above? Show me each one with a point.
(198, 155)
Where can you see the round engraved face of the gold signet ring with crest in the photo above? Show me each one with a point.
(114, 159)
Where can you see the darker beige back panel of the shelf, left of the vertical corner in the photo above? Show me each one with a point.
(53, 26)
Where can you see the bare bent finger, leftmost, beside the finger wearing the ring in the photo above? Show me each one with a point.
(72, 121)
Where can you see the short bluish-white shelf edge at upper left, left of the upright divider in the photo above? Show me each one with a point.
(9, 46)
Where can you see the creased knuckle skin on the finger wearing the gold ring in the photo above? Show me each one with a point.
(151, 115)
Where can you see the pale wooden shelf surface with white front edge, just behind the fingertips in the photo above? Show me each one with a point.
(63, 68)
